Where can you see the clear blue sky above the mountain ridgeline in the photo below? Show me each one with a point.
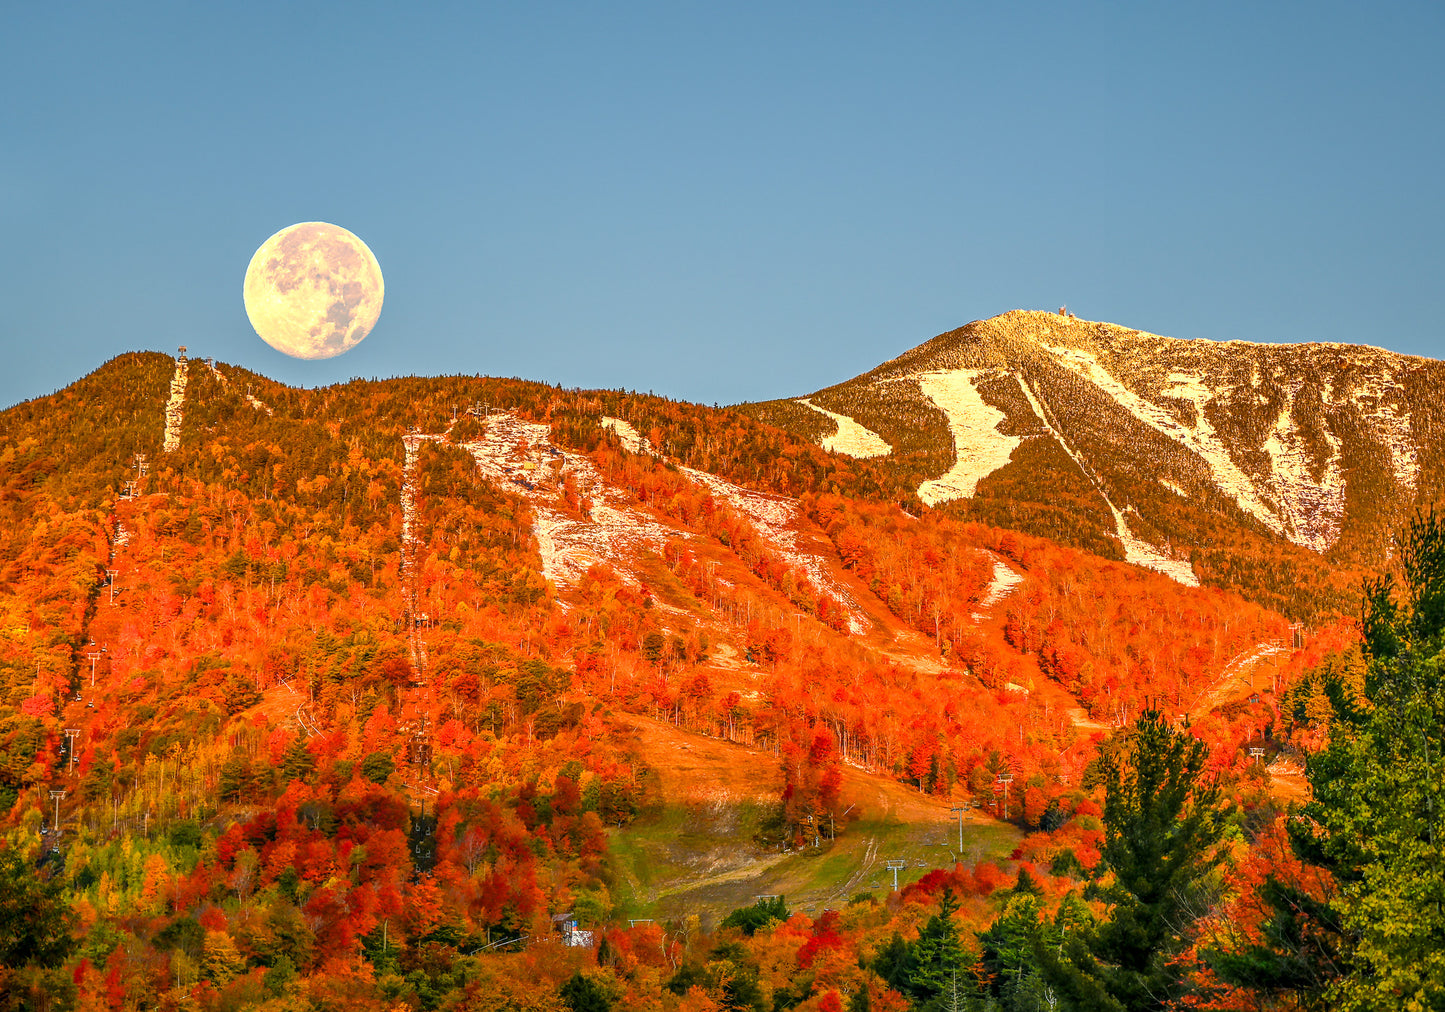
(720, 202)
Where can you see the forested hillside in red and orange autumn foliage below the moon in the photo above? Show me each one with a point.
(335, 703)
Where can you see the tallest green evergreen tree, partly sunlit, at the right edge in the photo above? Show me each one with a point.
(1378, 816)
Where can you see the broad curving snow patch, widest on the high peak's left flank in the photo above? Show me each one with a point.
(979, 447)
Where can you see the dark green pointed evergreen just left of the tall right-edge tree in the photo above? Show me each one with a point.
(1163, 823)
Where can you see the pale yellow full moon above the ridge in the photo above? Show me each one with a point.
(313, 291)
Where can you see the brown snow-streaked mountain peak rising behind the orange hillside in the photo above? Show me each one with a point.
(1259, 468)
